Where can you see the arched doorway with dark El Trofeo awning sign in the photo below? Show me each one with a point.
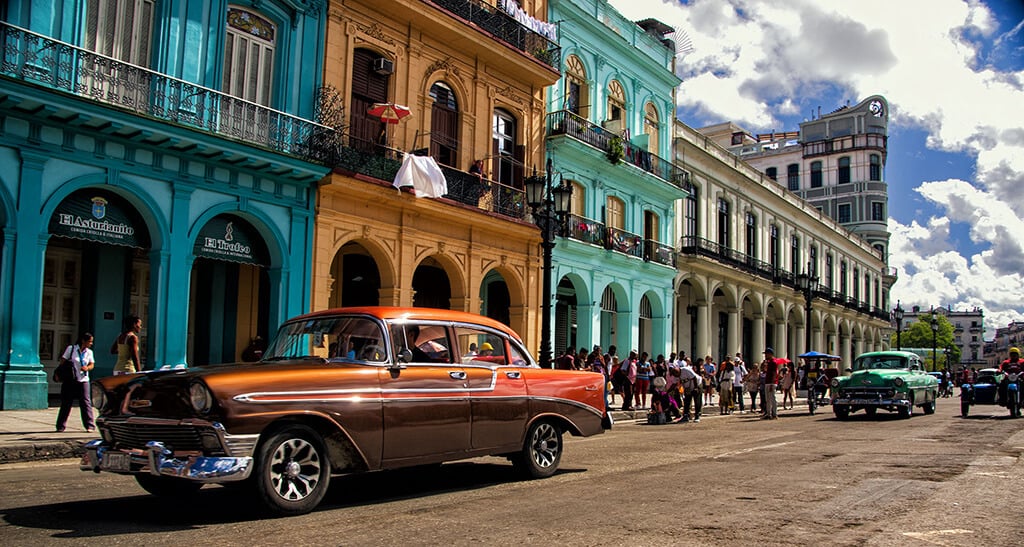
(230, 301)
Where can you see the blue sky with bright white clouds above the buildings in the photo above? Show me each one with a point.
(954, 74)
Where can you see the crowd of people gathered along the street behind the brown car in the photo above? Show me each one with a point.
(680, 389)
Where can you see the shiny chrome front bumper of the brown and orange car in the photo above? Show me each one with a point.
(157, 460)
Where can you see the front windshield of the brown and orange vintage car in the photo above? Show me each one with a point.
(330, 339)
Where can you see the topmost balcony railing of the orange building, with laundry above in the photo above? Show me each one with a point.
(506, 29)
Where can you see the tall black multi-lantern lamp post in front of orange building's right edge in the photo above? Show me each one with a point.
(549, 205)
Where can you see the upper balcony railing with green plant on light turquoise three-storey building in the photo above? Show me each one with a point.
(577, 128)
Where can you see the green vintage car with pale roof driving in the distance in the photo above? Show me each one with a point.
(889, 381)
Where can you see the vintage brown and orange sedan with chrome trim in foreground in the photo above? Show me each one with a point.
(340, 392)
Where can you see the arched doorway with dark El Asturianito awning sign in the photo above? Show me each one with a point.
(96, 274)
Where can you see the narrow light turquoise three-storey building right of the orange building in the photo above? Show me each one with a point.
(609, 134)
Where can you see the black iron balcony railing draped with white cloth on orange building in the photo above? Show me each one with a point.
(376, 161)
